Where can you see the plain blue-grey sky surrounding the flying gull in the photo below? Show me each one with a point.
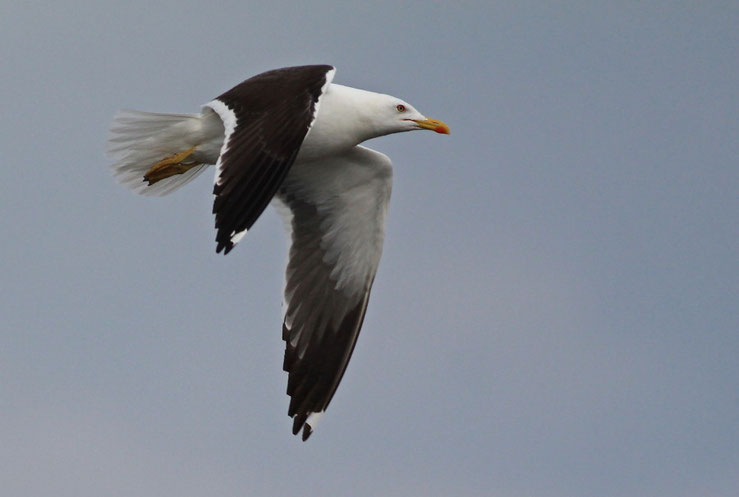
(556, 309)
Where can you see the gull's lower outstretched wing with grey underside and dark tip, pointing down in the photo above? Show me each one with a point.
(336, 210)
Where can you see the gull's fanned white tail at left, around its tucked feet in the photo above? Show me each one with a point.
(140, 141)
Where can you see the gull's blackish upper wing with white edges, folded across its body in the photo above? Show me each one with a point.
(266, 119)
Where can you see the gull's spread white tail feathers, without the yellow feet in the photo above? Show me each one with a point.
(138, 140)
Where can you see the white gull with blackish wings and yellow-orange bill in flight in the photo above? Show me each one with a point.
(292, 138)
